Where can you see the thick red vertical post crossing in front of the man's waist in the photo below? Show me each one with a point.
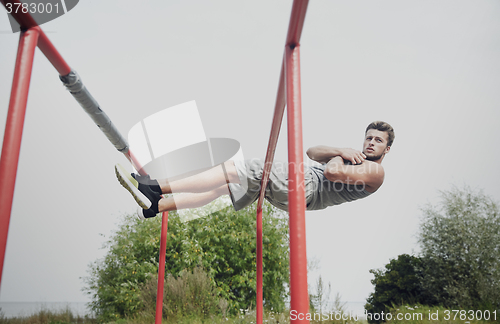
(296, 191)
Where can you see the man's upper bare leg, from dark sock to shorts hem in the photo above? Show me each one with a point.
(207, 181)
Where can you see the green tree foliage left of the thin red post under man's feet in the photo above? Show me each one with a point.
(114, 281)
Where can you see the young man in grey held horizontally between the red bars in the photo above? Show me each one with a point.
(344, 175)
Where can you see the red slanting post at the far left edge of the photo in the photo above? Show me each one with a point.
(14, 132)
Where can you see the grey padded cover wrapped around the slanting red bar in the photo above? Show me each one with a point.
(75, 86)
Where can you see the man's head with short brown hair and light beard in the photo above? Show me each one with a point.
(379, 137)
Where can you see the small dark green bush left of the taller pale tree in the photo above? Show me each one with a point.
(399, 283)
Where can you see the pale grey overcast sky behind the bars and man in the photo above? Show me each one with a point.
(429, 68)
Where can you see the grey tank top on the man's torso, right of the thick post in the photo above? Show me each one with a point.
(322, 193)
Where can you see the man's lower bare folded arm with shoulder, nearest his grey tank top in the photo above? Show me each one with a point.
(369, 174)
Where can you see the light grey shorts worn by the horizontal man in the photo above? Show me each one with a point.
(250, 175)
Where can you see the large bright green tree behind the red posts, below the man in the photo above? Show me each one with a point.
(223, 243)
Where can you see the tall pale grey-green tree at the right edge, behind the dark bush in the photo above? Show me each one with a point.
(460, 241)
